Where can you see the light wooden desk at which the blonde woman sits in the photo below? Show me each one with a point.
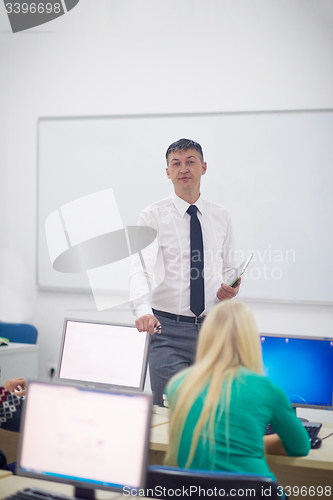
(314, 470)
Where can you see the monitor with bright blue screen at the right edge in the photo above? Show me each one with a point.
(302, 366)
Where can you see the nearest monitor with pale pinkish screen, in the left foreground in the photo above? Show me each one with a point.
(85, 437)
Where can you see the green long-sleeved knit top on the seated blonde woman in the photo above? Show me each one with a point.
(255, 402)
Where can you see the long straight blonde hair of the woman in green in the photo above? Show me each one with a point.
(228, 339)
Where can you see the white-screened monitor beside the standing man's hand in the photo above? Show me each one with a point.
(103, 355)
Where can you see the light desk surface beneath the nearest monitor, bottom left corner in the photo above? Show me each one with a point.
(11, 484)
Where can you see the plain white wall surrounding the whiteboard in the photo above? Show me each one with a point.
(143, 56)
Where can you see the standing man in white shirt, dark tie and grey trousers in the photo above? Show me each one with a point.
(196, 243)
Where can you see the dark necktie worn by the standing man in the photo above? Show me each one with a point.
(197, 290)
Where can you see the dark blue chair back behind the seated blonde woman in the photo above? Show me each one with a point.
(227, 484)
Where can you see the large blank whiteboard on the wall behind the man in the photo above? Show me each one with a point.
(271, 170)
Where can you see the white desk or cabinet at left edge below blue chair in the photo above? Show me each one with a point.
(18, 360)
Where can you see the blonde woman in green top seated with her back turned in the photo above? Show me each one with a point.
(221, 405)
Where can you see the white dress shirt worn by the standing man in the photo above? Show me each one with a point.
(169, 258)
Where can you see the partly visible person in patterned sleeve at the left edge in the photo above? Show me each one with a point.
(11, 404)
